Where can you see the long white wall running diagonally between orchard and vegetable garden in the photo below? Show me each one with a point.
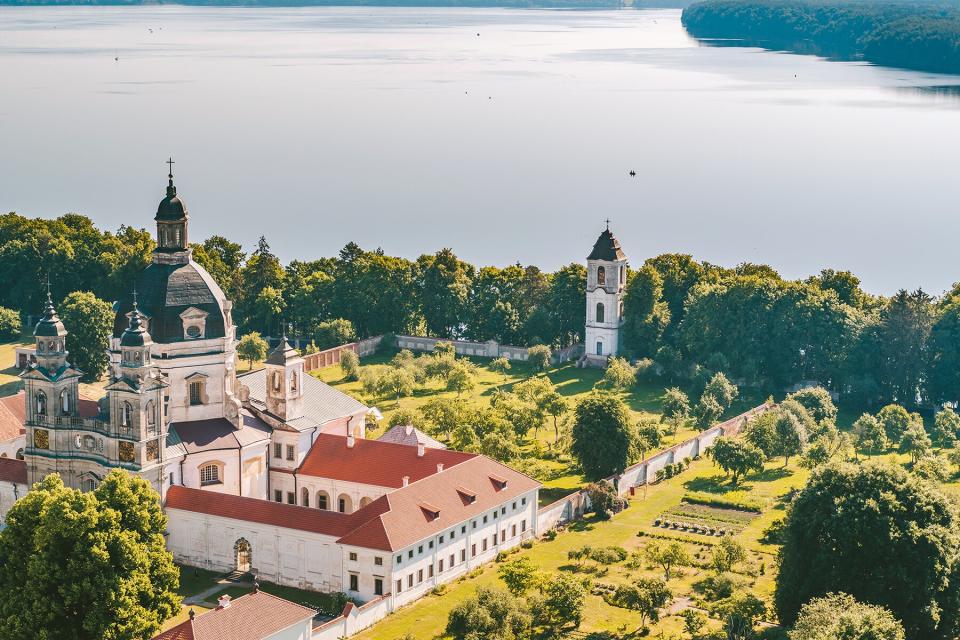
(575, 505)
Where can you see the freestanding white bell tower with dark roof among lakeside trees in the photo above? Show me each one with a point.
(606, 280)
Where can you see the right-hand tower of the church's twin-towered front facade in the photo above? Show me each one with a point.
(138, 416)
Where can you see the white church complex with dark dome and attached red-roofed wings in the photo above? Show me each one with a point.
(267, 472)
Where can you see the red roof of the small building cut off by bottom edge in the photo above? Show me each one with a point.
(255, 616)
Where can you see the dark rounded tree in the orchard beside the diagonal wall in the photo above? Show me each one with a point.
(604, 438)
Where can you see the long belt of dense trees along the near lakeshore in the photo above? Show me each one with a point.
(685, 319)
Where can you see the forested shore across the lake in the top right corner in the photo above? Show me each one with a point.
(914, 35)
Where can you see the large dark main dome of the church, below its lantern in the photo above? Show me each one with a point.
(164, 291)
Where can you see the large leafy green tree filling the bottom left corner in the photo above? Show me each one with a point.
(86, 566)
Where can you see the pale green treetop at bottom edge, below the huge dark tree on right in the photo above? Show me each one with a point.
(838, 616)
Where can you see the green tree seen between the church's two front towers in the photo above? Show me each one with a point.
(89, 324)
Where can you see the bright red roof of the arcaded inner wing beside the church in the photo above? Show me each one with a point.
(374, 462)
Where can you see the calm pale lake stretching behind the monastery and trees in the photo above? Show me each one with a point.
(507, 135)
